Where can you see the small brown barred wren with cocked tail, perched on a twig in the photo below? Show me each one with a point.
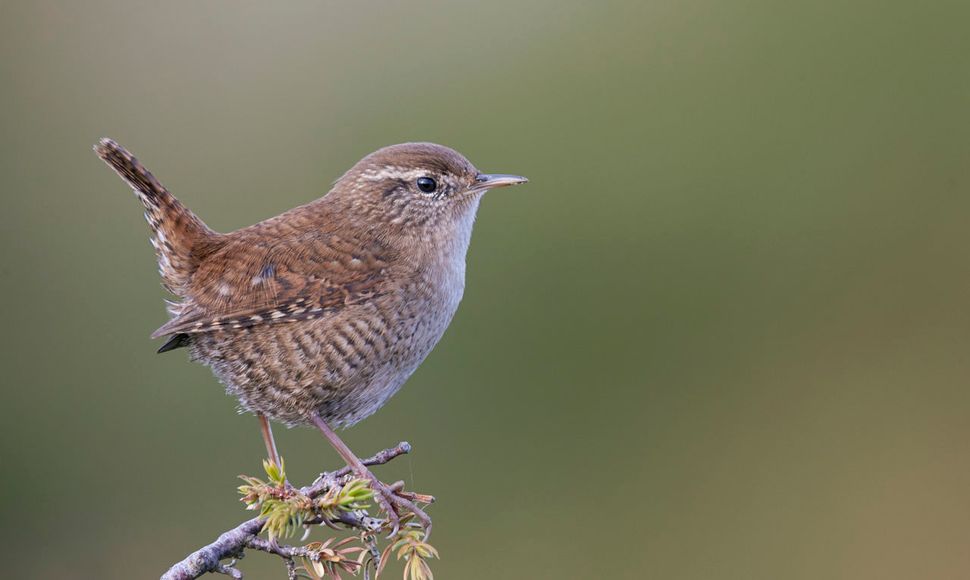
(318, 315)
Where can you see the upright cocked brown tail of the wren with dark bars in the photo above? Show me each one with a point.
(179, 237)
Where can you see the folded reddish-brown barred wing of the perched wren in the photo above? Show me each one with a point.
(259, 279)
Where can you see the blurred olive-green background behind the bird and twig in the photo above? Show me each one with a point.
(723, 333)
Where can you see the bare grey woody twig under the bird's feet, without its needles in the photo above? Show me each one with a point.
(232, 543)
